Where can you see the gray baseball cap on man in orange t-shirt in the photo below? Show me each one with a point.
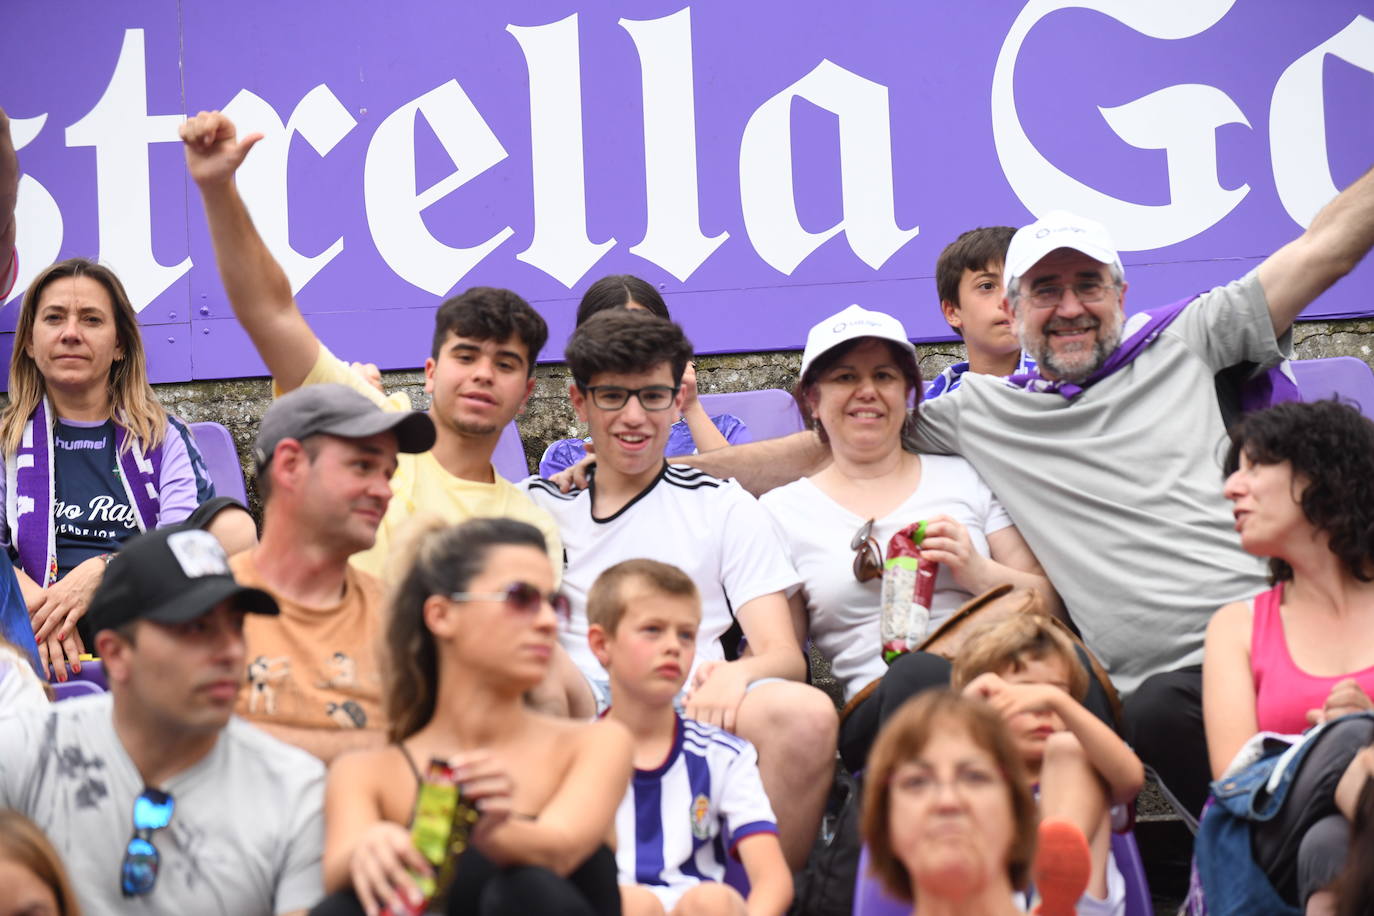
(337, 410)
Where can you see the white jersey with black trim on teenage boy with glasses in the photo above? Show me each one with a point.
(711, 529)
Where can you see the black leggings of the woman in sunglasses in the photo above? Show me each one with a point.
(482, 889)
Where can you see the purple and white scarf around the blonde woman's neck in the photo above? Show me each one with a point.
(31, 492)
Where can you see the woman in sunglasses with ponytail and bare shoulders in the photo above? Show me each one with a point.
(473, 627)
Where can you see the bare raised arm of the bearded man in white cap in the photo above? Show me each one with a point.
(1340, 236)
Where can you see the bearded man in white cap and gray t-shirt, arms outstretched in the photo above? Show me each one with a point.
(1107, 457)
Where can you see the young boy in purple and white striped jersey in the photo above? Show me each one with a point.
(696, 796)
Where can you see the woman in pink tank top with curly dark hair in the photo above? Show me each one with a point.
(1302, 481)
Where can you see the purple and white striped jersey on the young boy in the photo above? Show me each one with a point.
(678, 823)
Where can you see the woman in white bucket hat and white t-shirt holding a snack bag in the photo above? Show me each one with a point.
(859, 376)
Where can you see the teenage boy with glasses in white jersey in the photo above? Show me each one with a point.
(627, 373)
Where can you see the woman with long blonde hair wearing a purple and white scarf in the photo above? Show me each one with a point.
(91, 457)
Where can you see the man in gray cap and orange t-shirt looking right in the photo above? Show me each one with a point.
(325, 461)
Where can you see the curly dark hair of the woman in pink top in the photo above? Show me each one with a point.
(1331, 448)
